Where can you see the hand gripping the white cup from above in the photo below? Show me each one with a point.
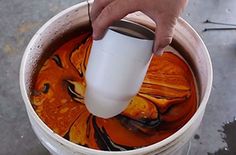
(163, 12)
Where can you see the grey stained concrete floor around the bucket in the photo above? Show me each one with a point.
(20, 19)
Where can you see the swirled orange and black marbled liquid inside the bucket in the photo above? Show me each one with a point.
(166, 101)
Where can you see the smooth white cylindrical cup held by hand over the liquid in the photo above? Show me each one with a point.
(116, 68)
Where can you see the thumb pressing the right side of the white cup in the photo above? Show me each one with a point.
(164, 33)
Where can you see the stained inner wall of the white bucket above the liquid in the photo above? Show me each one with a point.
(65, 26)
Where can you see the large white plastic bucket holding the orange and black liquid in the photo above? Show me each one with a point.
(185, 38)
